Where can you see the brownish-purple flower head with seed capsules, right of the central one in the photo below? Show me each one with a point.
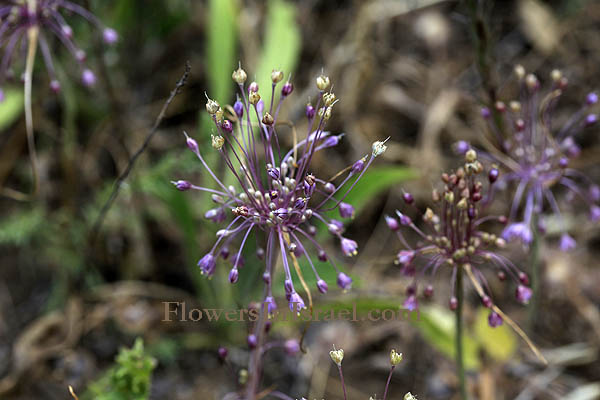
(452, 236)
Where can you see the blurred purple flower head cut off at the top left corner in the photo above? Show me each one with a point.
(18, 18)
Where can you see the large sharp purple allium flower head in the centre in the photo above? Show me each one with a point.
(277, 193)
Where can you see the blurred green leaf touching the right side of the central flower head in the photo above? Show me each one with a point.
(375, 181)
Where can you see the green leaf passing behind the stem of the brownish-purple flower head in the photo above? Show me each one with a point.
(438, 328)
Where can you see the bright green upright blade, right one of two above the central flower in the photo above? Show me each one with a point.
(282, 44)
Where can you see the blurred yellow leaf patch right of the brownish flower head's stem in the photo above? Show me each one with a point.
(499, 342)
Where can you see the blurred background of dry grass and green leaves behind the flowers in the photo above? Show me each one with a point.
(404, 69)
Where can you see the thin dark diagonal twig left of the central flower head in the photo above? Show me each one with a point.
(117, 186)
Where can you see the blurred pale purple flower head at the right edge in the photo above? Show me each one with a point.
(536, 155)
